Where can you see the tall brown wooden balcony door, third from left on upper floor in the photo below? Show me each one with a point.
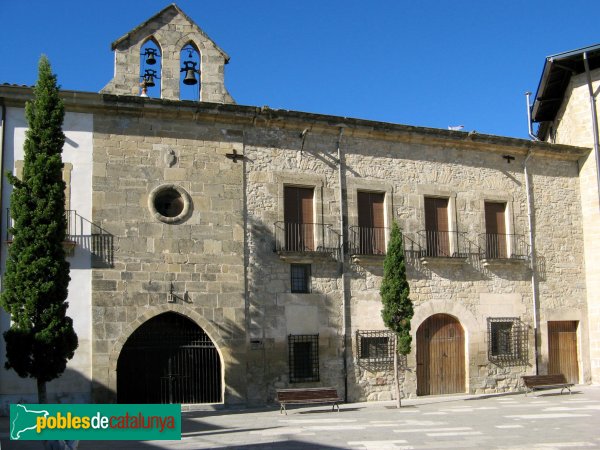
(436, 227)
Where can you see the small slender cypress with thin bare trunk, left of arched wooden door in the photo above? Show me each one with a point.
(397, 309)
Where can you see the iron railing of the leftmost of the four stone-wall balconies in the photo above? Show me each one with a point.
(305, 238)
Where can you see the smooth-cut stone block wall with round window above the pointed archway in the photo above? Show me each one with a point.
(200, 257)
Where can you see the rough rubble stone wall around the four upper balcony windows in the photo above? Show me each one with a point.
(407, 170)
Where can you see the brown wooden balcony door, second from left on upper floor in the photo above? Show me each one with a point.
(371, 223)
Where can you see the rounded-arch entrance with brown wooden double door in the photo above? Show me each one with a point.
(440, 356)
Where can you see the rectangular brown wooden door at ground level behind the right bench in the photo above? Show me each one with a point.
(562, 349)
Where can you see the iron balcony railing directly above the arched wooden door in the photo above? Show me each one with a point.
(446, 244)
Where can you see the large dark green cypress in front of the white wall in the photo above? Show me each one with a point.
(41, 338)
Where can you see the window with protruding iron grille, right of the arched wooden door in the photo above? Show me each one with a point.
(507, 340)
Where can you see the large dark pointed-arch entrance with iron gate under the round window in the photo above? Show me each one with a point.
(169, 359)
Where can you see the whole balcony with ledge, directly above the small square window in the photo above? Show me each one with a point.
(306, 242)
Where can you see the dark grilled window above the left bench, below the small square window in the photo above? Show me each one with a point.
(303, 353)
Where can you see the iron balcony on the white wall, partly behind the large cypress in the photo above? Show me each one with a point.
(80, 232)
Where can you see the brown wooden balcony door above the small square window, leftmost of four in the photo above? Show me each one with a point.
(299, 219)
